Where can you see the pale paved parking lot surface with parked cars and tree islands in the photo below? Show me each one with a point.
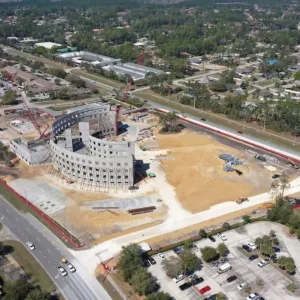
(267, 281)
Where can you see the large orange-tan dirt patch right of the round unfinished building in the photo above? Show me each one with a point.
(197, 174)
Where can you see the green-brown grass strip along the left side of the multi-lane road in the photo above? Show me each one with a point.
(31, 267)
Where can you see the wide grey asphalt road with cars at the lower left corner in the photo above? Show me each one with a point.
(49, 252)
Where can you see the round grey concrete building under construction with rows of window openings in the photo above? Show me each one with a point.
(85, 151)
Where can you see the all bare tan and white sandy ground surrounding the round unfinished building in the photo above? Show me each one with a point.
(193, 178)
